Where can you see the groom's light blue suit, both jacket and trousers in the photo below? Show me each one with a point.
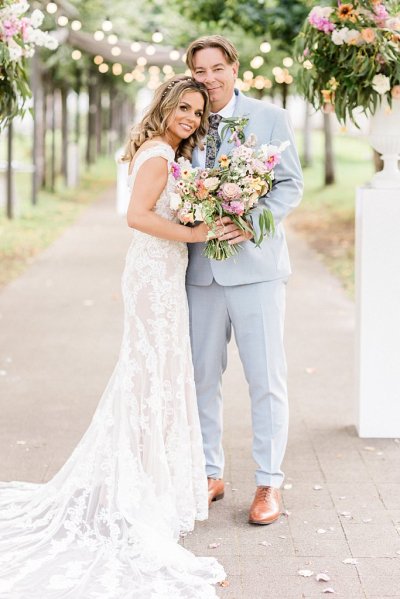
(248, 293)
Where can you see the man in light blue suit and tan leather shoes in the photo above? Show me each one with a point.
(246, 292)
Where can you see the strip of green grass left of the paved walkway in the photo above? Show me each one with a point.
(35, 227)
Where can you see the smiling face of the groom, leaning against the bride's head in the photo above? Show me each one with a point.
(211, 68)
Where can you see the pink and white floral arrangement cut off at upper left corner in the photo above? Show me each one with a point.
(20, 33)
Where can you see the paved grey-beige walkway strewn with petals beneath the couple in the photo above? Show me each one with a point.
(60, 329)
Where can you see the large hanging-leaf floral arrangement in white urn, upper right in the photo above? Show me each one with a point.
(350, 56)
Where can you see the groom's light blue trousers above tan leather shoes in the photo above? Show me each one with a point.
(256, 313)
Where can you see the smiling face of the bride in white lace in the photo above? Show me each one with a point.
(186, 118)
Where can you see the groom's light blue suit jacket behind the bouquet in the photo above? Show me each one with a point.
(271, 261)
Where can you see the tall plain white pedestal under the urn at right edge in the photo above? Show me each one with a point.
(378, 312)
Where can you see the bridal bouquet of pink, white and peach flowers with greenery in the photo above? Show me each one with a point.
(233, 188)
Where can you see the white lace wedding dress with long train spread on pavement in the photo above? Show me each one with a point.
(107, 525)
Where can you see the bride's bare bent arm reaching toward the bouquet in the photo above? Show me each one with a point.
(150, 182)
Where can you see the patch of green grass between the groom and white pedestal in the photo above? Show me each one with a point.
(326, 215)
